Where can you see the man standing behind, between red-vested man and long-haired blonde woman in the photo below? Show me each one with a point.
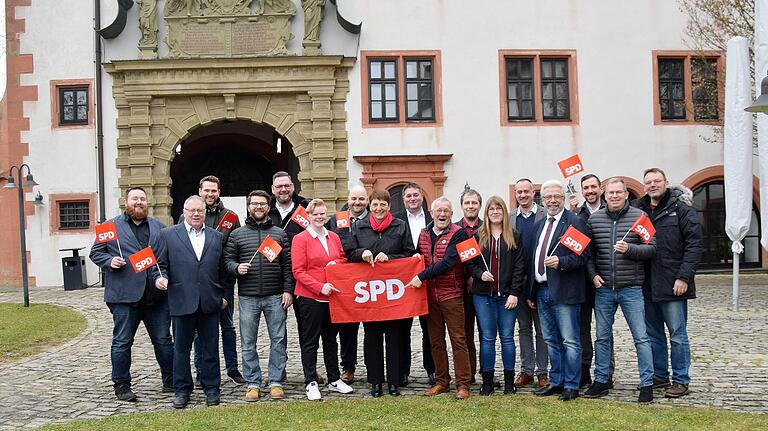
(471, 201)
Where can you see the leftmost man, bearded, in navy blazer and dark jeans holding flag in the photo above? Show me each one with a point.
(132, 297)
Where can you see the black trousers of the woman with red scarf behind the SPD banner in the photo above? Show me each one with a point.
(373, 350)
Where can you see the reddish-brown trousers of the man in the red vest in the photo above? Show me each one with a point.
(449, 314)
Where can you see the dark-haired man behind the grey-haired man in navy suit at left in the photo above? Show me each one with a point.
(210, 191)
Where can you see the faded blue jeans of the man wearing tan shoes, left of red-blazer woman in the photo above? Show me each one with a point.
(251, 308)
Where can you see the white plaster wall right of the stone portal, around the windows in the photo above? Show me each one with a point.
(613, 42)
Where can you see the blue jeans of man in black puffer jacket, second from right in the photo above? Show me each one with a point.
(632, 306)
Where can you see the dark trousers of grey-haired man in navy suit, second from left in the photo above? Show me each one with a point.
(207, 327)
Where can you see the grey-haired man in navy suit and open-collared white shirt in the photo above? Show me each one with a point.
(190, 256)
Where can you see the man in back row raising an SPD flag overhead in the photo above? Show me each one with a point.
(593, 201)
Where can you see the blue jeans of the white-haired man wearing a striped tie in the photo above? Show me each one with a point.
(560, 325)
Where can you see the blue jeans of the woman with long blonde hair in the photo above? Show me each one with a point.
(493, 318)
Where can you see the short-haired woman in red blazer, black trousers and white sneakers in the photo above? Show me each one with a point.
(311, 251)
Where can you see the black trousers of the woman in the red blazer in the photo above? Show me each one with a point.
(316, 323)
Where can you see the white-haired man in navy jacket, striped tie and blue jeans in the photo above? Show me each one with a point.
(557, 282)
